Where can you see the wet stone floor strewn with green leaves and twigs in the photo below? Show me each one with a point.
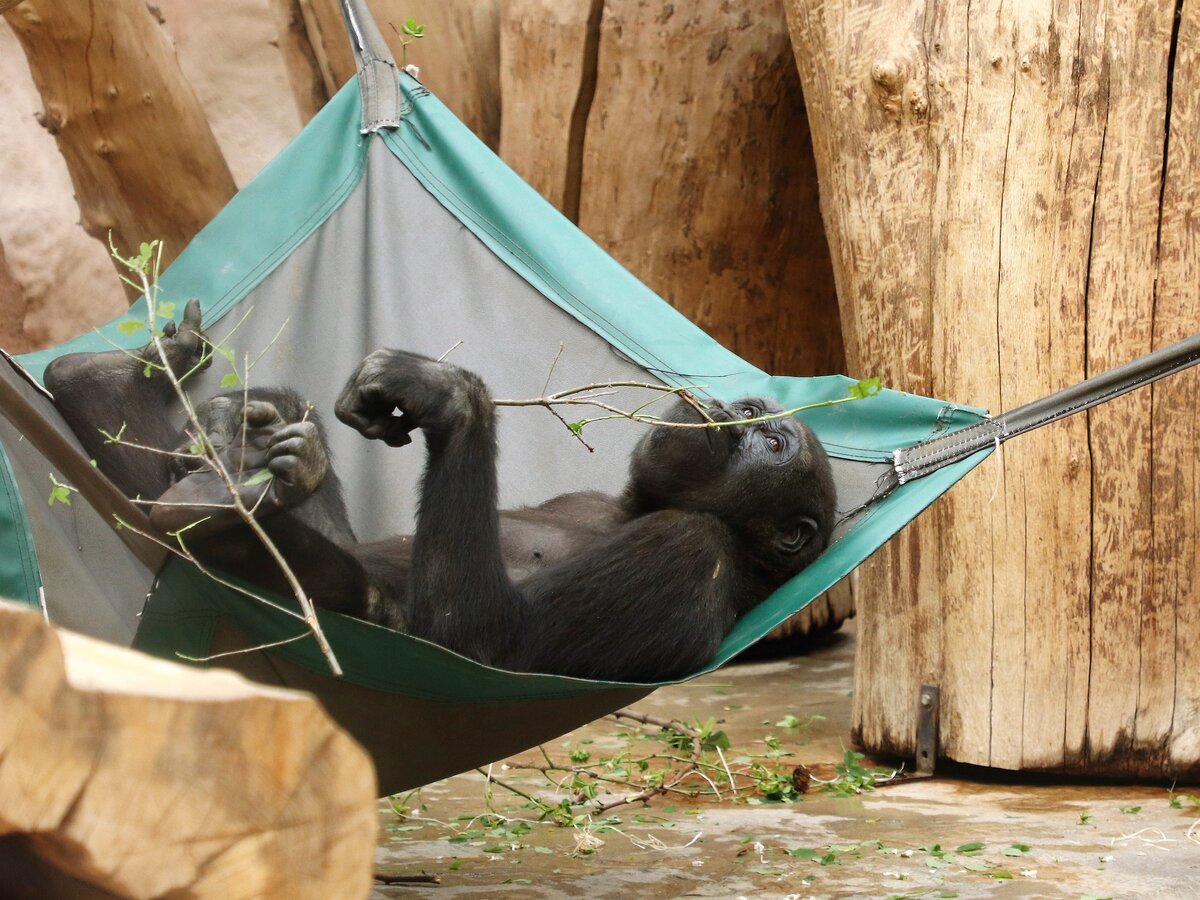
(965, 836)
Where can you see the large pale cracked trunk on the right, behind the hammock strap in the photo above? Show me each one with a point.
(1010, 196)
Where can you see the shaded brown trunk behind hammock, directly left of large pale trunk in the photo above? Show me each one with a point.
(698, 178)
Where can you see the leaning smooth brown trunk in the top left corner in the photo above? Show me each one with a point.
(141, 154)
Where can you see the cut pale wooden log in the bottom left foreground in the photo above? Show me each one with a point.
(125, 776)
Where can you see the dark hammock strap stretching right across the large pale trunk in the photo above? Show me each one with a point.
(913, 463)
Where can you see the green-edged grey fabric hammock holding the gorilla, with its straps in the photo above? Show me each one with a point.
(387, 223)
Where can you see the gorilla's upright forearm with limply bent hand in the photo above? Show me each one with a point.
(460, 595)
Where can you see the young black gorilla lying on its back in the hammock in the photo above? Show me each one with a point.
(639, 587)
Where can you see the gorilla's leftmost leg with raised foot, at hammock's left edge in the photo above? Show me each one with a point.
(119, 393)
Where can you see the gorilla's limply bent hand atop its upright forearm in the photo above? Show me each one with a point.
(439, 398)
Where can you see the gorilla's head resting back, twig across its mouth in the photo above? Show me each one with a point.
(769, 481)
